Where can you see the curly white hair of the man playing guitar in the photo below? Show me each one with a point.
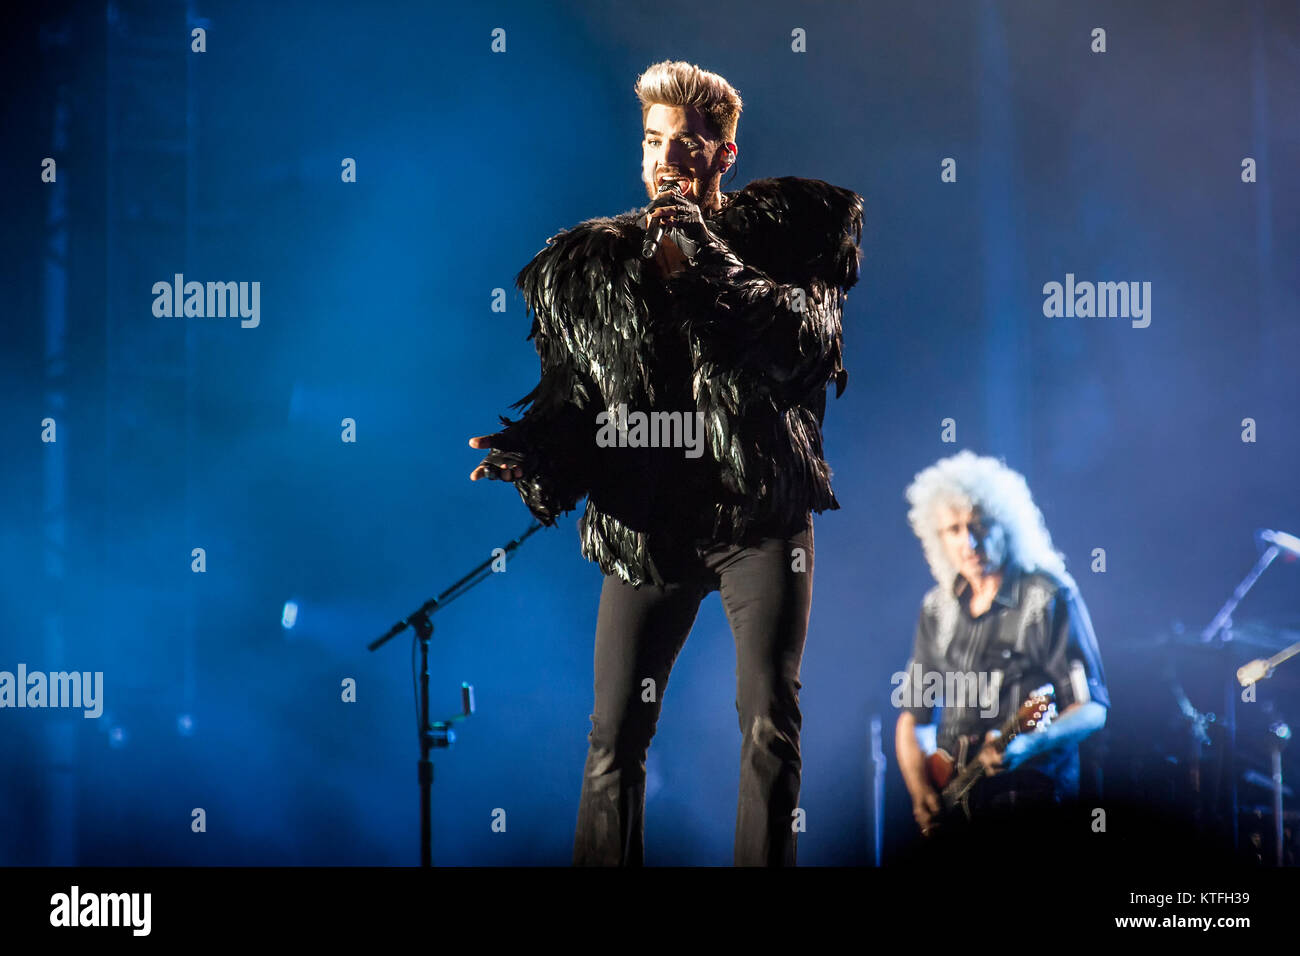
(970, 481)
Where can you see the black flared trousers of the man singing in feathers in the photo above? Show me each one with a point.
(766, 590)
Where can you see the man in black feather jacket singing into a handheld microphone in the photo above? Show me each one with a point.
(723, 335)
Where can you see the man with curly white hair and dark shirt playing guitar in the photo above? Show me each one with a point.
(1004, 609)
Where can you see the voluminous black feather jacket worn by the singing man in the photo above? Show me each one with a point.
(749, 338)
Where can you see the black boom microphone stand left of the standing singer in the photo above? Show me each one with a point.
(439, 734)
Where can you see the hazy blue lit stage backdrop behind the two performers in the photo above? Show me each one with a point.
(176, 434)
